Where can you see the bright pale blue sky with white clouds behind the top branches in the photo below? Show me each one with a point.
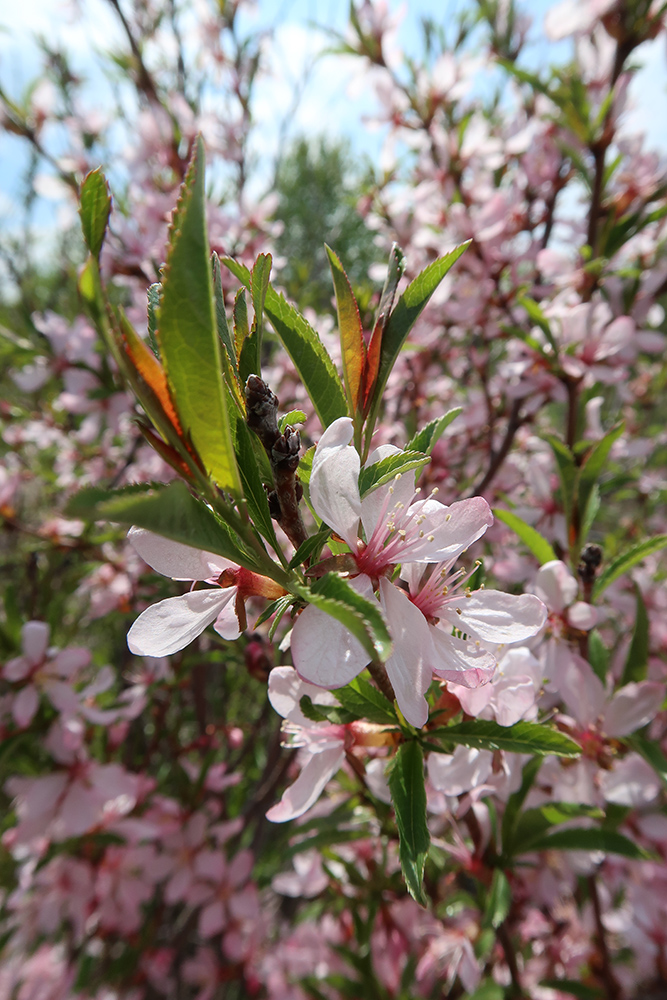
(326, 105)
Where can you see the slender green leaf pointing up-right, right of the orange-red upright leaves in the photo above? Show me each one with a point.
(405, 315)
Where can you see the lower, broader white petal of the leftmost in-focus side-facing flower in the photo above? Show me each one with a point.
(171, 625)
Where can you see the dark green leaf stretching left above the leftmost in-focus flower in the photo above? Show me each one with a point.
(172, 512)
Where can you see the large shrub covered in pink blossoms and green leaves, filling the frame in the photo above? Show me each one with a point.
(378, 738)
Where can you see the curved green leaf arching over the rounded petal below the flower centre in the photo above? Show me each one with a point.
(361, 617)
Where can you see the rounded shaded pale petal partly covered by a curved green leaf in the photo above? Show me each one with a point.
(324, 652)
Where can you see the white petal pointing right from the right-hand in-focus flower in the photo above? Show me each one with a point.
(493, 616)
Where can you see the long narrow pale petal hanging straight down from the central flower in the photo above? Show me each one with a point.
(409, 666)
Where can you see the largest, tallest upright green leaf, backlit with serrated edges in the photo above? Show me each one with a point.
(187, 333)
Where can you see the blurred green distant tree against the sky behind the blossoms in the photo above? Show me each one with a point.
(320, 184)
